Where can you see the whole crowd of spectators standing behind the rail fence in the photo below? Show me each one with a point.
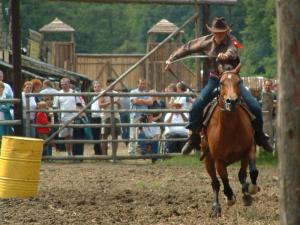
(138, 138)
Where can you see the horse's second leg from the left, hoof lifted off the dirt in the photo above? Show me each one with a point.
(222, 171)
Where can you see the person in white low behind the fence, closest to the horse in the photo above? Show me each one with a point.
(175, 131)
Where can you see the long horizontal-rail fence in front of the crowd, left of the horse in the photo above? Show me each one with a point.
(114, 138)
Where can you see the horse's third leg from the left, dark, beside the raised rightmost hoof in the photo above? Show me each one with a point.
(245, 186)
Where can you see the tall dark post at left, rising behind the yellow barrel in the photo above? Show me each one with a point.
(16, 60)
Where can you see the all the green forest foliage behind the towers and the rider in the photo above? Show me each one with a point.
(122, 28)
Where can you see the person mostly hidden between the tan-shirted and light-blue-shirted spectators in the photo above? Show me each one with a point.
(125, 116)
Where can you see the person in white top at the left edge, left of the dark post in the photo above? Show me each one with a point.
(5, 111)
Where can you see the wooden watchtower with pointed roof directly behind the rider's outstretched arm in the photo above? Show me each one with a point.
(157, 77)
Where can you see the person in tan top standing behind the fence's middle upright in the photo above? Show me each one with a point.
(105, 104)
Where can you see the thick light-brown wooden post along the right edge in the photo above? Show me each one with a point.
(288, 123)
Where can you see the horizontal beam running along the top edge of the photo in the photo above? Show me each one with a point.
(163, 2)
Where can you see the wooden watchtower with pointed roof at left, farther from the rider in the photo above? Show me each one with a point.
(59, 53)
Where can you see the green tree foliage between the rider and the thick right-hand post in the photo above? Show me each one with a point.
(258, 35)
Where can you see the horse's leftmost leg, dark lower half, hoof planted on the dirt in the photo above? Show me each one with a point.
(211, 170)
